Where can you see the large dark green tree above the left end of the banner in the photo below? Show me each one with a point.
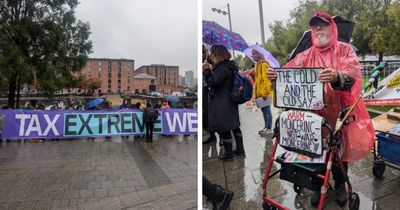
(41, 41)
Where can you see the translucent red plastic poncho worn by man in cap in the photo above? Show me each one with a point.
(358, 136)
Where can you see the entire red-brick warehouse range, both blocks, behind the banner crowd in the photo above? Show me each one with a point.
(118, 76)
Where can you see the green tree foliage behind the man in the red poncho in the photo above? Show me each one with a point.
(376, 30)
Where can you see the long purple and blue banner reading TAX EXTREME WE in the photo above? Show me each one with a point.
(31, 124)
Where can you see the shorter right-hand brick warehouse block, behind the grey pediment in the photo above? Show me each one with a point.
(167, 77)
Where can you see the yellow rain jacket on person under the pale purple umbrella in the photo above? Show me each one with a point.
(262, 85)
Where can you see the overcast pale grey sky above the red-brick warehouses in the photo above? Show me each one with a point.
(148, 31)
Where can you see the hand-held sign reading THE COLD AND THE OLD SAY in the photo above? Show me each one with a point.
(299, 88)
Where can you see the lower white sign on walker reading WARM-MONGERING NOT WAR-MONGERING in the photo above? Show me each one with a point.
(301, 131)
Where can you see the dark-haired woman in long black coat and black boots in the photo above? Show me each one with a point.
(223, 113)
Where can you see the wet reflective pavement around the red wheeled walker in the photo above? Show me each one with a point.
(244, 176)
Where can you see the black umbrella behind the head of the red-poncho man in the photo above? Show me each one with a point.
(345, 29)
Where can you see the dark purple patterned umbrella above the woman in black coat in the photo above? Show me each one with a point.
(214, 34)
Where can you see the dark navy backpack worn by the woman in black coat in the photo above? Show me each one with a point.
(242, 89)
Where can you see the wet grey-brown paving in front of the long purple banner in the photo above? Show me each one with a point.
(99, 174)
